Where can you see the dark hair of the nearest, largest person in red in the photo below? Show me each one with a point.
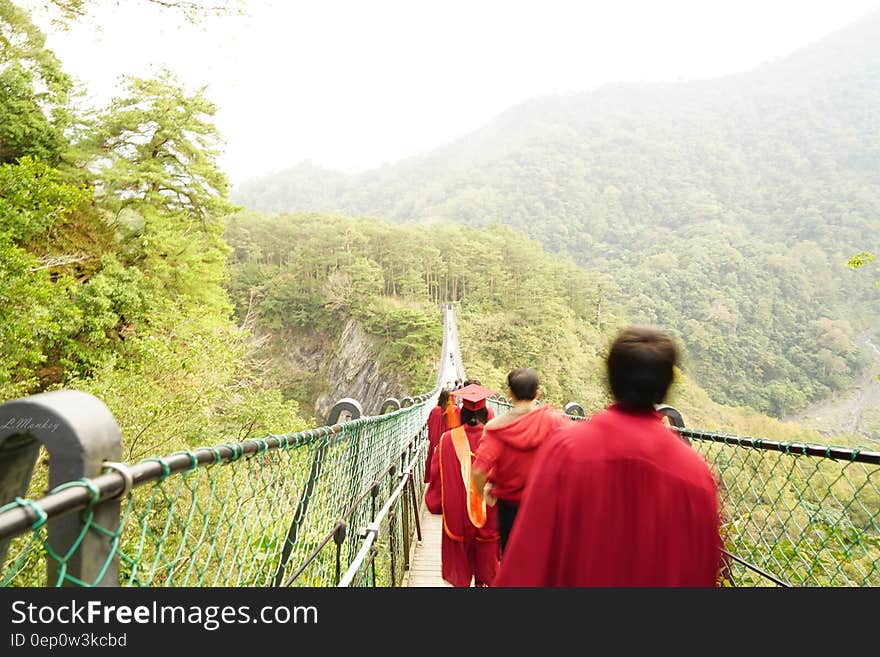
(640, 366)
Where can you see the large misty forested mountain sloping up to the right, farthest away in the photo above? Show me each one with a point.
(723, 209)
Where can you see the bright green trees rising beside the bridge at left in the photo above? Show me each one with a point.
(112, 255)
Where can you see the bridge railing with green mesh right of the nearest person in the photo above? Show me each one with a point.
(796, 514)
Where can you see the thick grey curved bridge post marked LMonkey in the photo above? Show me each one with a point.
(80, 433)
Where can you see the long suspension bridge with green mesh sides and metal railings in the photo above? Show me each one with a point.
(341, 505)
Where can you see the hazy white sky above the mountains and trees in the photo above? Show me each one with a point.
(351, 84)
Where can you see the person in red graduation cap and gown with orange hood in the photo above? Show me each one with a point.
(469, 546)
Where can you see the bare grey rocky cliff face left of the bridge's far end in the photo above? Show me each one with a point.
(320, 369)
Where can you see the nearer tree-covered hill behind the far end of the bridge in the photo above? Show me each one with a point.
(305, 276)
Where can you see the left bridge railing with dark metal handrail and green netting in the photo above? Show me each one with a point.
(282, 510)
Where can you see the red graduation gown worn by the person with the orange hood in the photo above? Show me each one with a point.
(467, 551)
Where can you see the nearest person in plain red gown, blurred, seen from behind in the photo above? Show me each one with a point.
(619, 499)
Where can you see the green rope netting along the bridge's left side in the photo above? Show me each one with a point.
(246, 520)
